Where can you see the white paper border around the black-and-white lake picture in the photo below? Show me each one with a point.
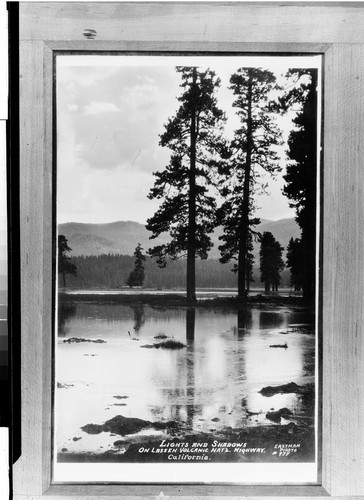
(78, 467)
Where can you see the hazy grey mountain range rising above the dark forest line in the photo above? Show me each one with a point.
(122, 237)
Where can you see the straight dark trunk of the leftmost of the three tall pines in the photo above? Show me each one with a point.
(191, 241)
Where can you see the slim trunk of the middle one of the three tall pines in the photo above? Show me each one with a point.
(244, 224)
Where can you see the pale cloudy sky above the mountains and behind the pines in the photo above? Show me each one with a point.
(110, 112)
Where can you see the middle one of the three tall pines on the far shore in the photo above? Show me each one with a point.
(252, 152)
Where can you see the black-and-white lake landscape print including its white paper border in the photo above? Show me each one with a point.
(186, 298)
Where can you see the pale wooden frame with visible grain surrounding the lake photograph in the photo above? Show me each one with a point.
(332, 29)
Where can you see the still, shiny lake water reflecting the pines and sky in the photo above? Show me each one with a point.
(211, 383)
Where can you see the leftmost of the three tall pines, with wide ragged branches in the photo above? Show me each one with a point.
(188, 209)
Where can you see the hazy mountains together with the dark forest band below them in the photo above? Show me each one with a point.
(103, 253)
